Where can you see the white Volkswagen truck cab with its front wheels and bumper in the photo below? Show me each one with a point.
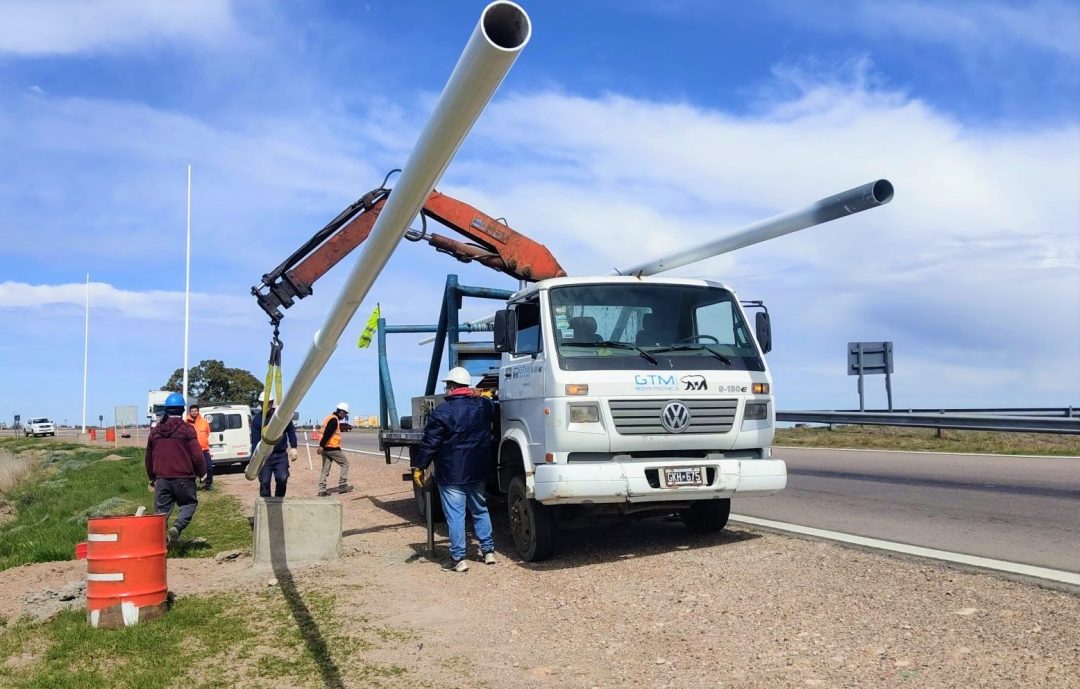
(626, 396)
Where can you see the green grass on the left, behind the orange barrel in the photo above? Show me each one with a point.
(70, 484)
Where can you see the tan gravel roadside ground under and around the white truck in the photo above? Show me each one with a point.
(649, 605)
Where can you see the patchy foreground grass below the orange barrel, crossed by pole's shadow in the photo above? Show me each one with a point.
(221, 641)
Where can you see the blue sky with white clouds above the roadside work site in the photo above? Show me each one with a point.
(624, 130)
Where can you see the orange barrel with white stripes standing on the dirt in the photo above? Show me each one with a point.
(126, 571)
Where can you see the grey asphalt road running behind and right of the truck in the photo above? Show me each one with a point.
(1017, 509)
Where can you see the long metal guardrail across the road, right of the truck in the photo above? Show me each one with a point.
(969, 421)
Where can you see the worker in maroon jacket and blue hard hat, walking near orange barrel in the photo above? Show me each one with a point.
(173, 462)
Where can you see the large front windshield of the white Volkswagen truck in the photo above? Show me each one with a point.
(624, 327)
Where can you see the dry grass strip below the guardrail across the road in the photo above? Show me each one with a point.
(907, 439)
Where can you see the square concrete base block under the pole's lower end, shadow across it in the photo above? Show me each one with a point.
(296, 531)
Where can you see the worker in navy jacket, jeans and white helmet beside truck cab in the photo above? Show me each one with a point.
(457, 438)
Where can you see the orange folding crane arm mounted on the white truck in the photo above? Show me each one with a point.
(492, 244)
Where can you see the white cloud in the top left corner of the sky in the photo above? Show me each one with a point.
(67, 28)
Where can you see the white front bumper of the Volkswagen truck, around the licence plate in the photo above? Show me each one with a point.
(644, 482)
